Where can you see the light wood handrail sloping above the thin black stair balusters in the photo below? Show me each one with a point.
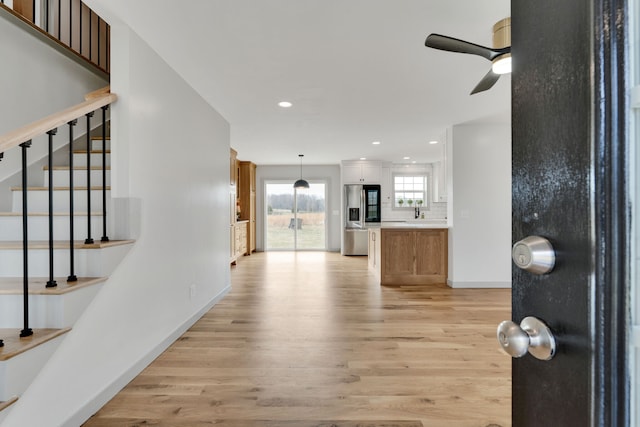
(42, 126)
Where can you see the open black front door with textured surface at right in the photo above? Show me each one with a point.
(569, 186)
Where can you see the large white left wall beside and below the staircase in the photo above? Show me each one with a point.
(170, 155)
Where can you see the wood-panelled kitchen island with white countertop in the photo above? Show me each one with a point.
(409, 253)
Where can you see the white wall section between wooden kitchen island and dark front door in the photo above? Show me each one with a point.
(480, 206)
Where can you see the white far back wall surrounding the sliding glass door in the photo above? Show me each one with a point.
(330, 174)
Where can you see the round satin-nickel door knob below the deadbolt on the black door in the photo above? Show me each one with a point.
(532, 335)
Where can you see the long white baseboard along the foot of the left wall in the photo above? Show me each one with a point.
(110, 390)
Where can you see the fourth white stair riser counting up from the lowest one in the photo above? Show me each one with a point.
(11, 227)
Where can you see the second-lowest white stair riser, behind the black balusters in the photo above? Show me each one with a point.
(47, 311)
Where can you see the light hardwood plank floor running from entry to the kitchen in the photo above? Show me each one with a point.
(310, 340)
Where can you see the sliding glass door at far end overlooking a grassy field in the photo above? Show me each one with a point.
(295, 219)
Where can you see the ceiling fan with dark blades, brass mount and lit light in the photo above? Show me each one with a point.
(499, 55)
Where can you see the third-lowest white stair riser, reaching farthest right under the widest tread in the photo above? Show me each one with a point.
(88, 262)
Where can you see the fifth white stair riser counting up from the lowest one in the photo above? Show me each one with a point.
(38, 201)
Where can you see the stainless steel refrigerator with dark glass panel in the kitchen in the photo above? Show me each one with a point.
(361, 211)
